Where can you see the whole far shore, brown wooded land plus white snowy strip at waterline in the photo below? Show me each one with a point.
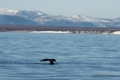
(58, 29)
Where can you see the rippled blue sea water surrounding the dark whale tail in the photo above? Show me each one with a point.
(79, 56)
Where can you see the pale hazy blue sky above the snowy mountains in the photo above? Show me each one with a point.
(91, 8)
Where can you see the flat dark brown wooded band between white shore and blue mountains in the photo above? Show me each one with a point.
(54, 28)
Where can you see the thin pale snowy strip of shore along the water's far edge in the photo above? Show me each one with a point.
(67, 32)
